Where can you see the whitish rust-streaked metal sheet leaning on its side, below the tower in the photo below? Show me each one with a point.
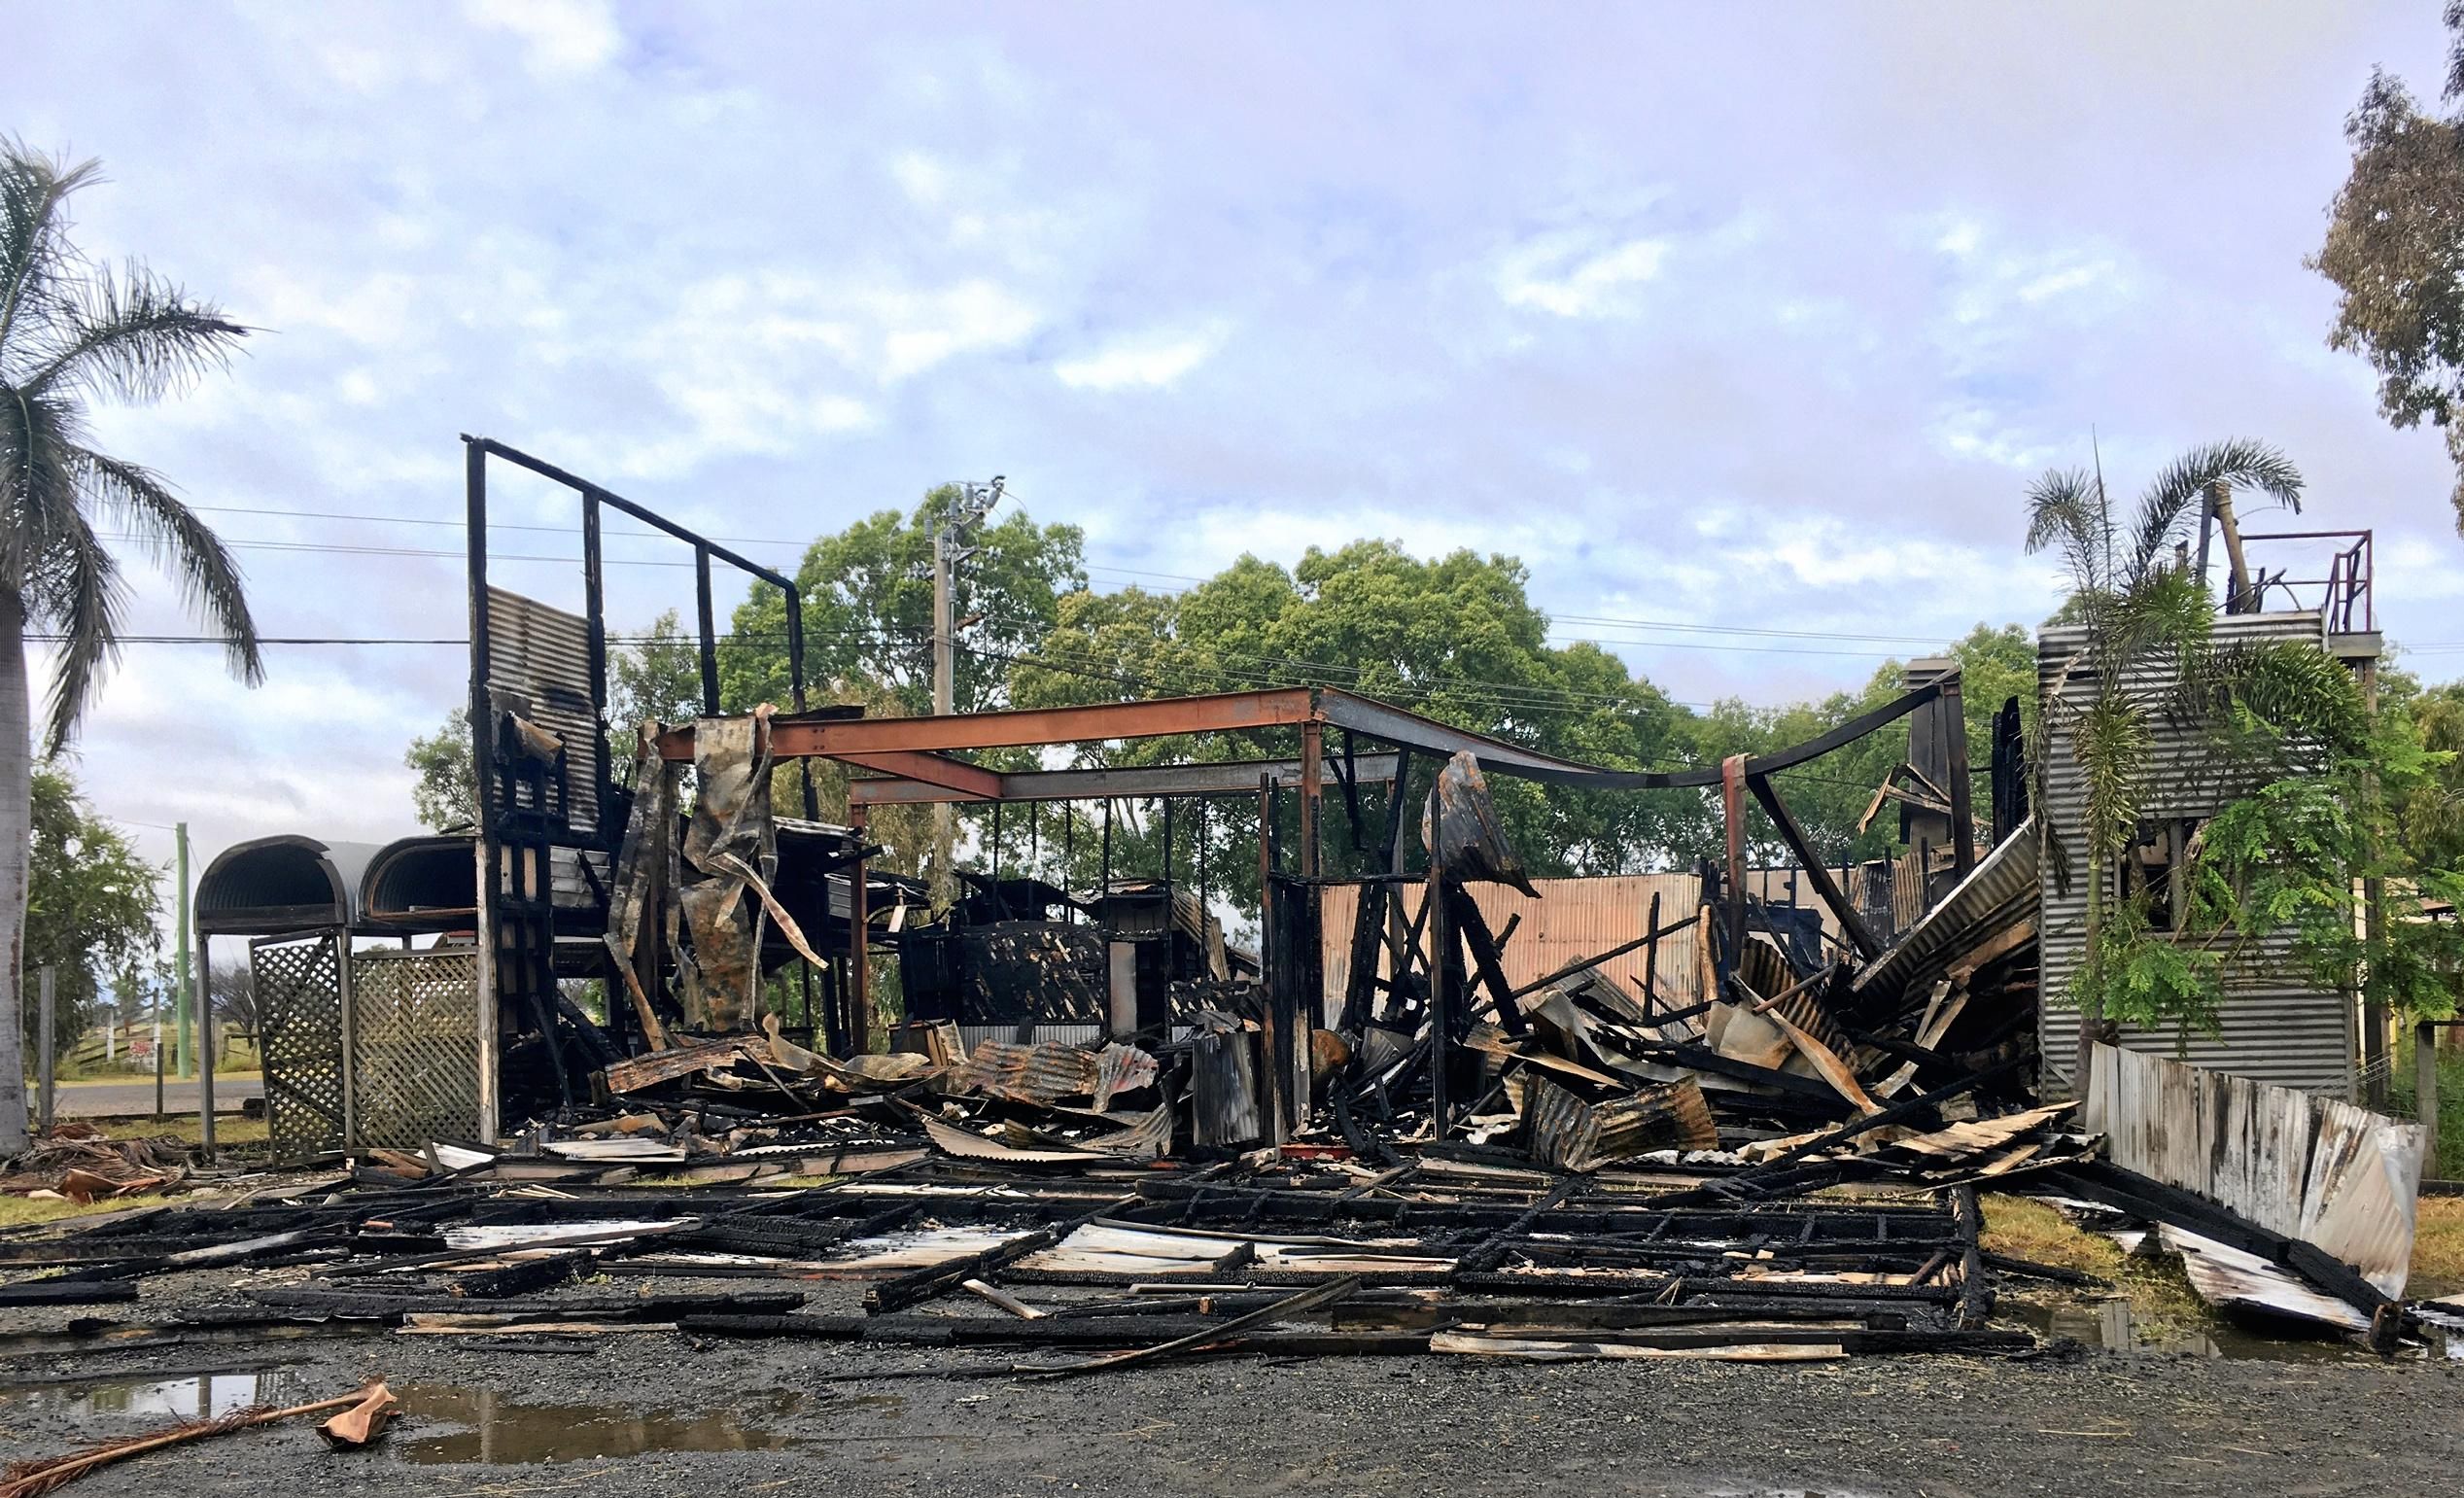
(2305, 1167)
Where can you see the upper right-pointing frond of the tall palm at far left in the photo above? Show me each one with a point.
(134, 336)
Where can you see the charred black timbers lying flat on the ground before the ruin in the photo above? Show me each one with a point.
(1443, 1255)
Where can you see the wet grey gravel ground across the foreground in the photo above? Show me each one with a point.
(657, 1413)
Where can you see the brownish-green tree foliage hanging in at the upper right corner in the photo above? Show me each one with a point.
(2396, 255)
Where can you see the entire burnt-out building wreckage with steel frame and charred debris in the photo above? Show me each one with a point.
(1098, 1135)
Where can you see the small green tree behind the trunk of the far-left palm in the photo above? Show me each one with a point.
(92, 905)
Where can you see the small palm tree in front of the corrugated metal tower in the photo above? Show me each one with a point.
(2145, 605)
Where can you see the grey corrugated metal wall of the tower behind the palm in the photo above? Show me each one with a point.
(2276, 1026)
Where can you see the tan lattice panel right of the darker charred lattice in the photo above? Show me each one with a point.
(415, 1046)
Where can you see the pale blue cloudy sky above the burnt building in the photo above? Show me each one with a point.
(1724, 322)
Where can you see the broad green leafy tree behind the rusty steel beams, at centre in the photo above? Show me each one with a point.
(1453, 637)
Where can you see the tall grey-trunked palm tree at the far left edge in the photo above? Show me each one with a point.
(70, 331)
